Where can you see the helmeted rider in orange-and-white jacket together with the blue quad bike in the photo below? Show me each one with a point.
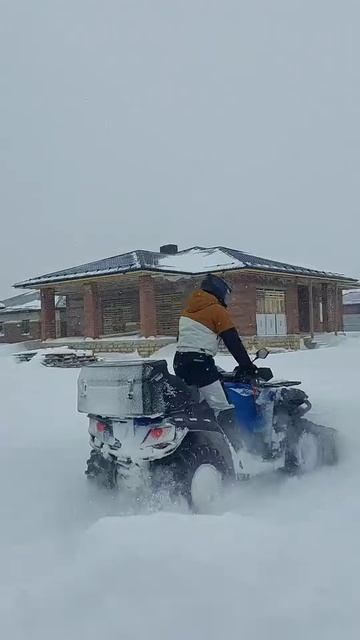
(198, 430)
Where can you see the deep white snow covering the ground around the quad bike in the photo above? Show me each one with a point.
(280, 560)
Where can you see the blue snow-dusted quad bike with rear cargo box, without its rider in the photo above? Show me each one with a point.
(147, 428)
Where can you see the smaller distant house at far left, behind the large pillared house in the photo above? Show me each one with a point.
(20, 318)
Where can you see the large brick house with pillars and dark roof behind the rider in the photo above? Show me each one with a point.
(143, 292)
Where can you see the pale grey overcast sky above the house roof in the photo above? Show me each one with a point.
(128, 124)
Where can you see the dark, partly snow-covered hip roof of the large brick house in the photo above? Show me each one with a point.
(194, 261)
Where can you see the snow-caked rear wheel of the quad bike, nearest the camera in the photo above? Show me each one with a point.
(197, 473)
